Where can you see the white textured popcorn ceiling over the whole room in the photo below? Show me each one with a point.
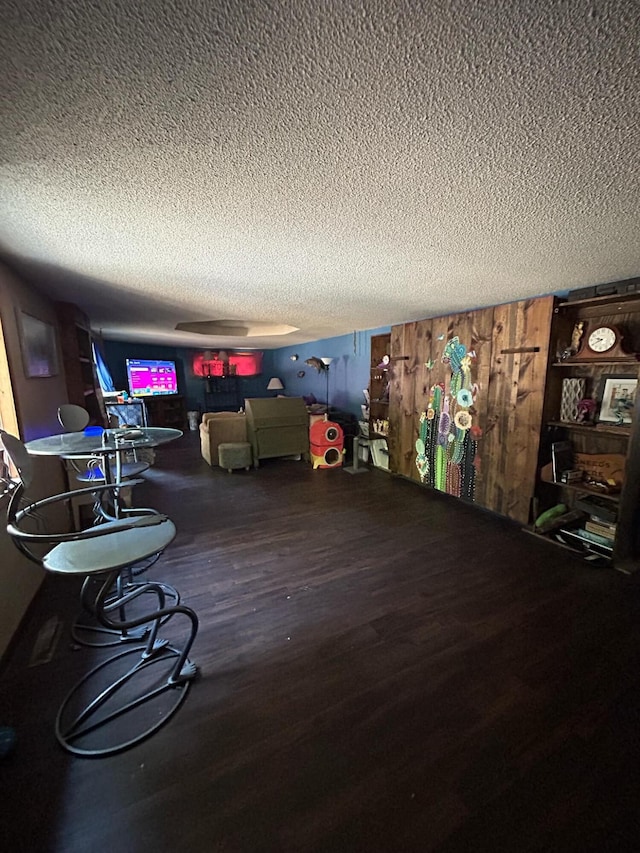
(330, 166)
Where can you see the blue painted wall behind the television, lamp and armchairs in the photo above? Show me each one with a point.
(348, 373)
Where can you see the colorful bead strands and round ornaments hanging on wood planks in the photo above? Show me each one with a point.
(447, 446)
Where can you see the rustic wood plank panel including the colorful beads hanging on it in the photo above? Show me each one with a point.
(466, 403)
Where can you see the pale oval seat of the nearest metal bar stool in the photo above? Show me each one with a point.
(113, 551)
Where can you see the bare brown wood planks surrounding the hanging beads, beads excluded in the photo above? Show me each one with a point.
(509, 395)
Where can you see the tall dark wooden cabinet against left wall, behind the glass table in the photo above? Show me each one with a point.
(77, 358)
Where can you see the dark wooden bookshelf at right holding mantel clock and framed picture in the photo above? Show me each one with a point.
(606, 443)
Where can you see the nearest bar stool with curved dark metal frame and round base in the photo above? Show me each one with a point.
(135, 692)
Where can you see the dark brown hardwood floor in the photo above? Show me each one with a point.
(382, 669)
